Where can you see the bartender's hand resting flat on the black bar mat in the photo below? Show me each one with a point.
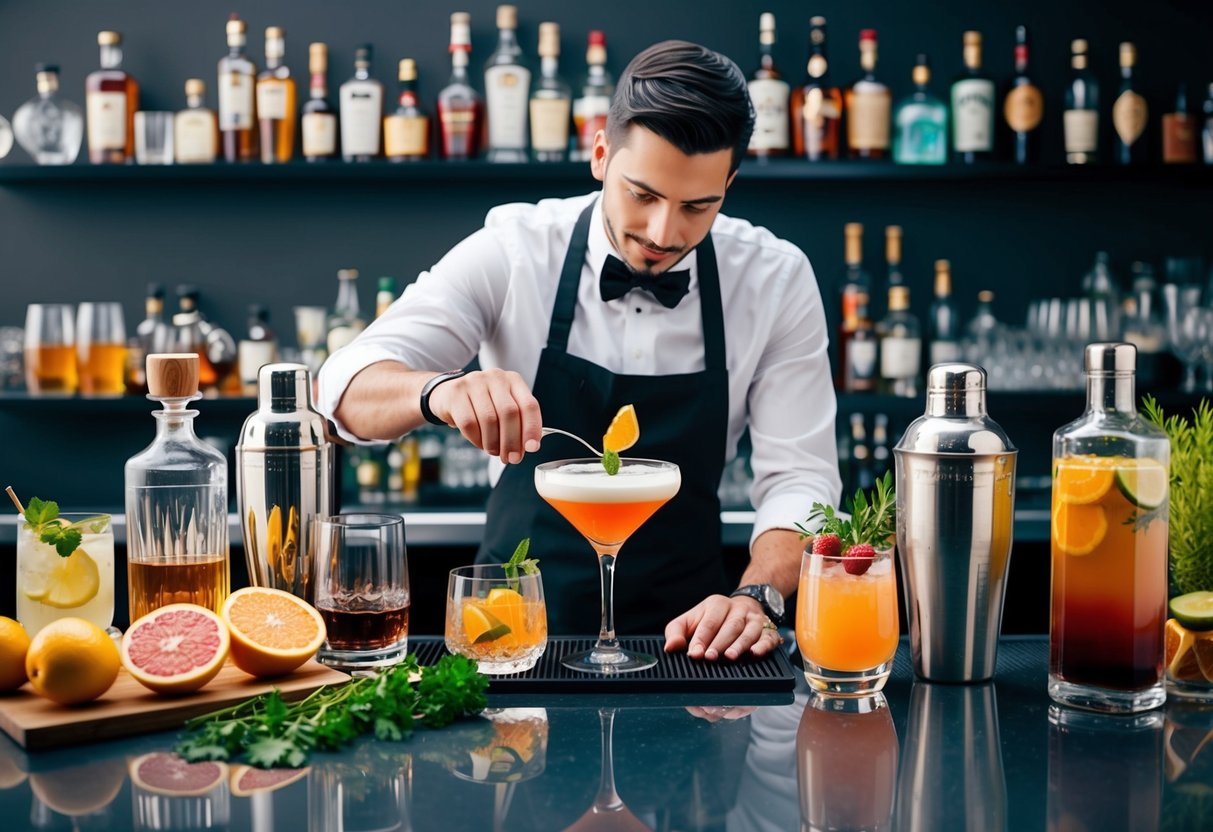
(720, 625)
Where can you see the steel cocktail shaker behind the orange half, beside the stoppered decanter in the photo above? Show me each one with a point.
(283, 481)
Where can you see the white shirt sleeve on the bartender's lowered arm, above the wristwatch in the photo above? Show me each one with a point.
(793, 409)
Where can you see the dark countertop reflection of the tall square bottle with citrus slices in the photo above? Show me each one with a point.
(1104, 772)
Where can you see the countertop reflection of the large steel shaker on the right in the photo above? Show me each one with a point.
(952, 773)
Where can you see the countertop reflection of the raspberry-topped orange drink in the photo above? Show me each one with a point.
(847, 761)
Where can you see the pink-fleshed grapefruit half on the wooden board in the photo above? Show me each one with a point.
(176, 648)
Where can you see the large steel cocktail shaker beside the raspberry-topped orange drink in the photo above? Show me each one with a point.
(956, 499)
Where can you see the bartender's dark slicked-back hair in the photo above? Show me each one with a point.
(688, 95)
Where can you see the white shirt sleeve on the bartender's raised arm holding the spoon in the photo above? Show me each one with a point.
(437, 324)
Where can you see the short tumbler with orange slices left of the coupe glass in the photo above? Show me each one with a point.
(497, 622)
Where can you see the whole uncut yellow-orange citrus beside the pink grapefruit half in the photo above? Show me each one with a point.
(72, 662)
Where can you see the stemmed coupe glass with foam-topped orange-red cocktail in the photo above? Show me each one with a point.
(607, 510)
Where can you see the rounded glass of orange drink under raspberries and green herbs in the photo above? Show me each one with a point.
(847, 622)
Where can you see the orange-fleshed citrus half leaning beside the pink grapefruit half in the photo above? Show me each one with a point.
(274, 632)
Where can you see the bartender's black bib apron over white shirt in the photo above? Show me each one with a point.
(674, 561)
